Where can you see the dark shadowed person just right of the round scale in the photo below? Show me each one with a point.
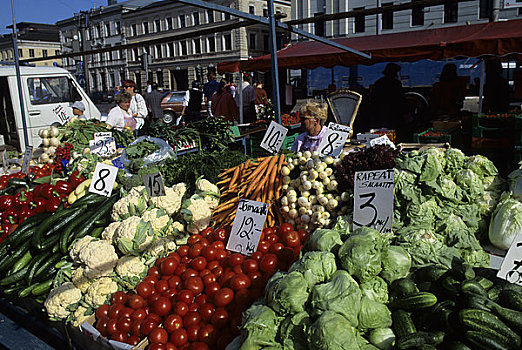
(387, 99)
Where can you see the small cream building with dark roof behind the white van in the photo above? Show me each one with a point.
(34, 40)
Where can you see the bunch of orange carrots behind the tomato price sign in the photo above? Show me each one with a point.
(258, 180)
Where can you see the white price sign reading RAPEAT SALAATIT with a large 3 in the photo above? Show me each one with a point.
(373, 199)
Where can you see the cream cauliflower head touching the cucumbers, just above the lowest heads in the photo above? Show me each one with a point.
(99, 258)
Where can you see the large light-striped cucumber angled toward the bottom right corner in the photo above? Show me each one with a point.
(487, 323)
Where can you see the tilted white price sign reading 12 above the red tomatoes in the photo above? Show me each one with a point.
(247, 227)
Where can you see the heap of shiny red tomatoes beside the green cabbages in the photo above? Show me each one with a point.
(194, 297)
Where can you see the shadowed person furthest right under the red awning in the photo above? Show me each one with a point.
(496, 89)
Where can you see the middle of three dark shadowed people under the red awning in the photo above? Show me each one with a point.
(448, 93)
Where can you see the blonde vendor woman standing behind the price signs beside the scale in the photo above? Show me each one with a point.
(313, 115)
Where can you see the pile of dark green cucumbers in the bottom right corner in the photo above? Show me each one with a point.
(456, 309)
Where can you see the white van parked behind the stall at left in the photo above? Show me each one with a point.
(48, 93)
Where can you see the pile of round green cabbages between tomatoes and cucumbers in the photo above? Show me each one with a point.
(333, 297)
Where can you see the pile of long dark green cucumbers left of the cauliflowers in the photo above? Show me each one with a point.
(33, 255)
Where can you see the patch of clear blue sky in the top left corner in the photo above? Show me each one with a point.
(43, 11)
